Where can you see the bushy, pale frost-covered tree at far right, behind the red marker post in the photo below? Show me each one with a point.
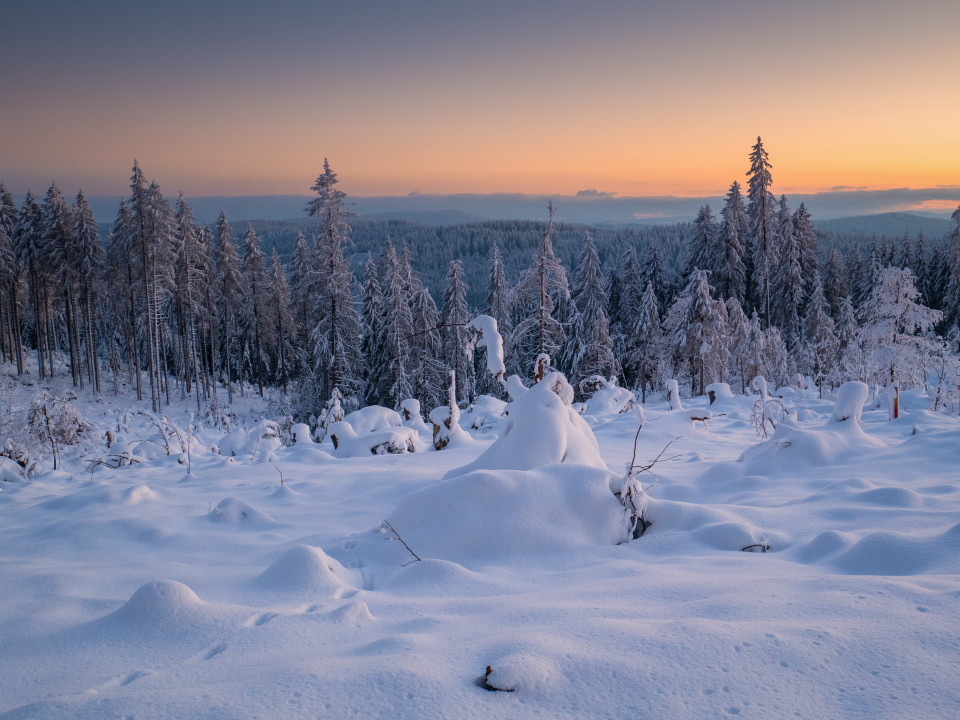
(896, 333)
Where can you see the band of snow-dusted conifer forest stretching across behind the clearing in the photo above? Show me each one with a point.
(176, 308)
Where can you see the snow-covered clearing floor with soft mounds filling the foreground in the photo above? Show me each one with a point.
(150, 592)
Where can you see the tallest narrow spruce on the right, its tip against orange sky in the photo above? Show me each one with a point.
(764, 241)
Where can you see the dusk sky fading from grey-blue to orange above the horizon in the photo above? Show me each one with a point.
(624, 97)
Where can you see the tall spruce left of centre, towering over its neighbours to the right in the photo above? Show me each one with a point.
(336, 335)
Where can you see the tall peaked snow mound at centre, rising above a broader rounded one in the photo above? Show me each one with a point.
(542, 428)
